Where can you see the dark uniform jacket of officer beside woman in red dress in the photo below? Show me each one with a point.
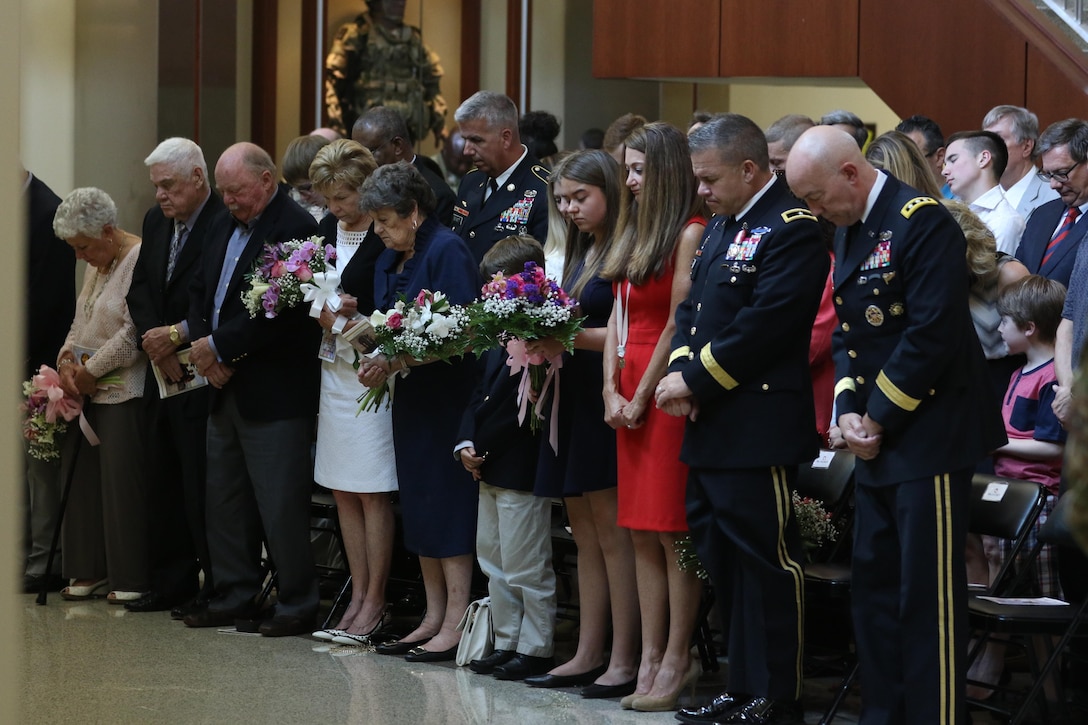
(743, 337)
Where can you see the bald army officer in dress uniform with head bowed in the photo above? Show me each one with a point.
(913, 407)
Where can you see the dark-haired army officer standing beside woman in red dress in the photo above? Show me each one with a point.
(739, 370)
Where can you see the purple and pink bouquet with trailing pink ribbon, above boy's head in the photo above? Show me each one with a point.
(526, 306)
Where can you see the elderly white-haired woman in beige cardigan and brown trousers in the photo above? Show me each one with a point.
(105, 532)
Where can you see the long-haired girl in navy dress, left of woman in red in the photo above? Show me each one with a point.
(586, 190)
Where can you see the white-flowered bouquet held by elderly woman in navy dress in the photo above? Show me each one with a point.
(427, 328)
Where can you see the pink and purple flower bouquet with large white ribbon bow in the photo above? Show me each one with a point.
(288, 274)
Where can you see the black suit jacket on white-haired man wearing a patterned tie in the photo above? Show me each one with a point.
(153, 300)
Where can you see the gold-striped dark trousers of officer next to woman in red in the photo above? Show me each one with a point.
(747, 536)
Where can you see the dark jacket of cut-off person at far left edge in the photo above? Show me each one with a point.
(51, 280)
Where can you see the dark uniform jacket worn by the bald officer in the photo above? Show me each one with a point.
(906, 351)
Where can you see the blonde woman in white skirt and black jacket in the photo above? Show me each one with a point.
(355, 454)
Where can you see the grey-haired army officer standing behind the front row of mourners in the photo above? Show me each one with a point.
(505, 194)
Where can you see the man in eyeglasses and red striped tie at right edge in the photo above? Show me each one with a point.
(1055, 231)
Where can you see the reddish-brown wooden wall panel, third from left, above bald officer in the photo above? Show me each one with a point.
(951, 62)
